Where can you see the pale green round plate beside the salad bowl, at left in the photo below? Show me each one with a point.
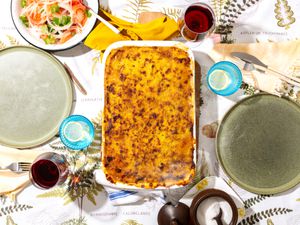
(35, 96)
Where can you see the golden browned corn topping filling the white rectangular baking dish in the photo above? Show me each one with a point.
(148, 117)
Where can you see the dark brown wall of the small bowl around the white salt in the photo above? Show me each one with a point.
(208, 193)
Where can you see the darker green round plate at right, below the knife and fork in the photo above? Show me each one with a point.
(258, 144)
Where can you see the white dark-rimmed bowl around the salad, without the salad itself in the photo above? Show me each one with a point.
(35, 40)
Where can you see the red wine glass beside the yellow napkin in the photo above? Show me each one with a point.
(197, 22)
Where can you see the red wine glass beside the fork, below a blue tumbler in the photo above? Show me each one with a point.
(48, 170)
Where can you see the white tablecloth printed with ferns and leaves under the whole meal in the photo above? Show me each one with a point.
(81, 200)
